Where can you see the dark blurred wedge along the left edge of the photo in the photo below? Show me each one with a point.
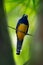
(6, 55)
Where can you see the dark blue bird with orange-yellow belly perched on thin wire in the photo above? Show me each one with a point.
(21, 30)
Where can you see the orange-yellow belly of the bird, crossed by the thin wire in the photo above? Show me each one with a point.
(23, 28)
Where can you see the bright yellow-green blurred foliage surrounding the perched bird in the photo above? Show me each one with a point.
(14, 10)
